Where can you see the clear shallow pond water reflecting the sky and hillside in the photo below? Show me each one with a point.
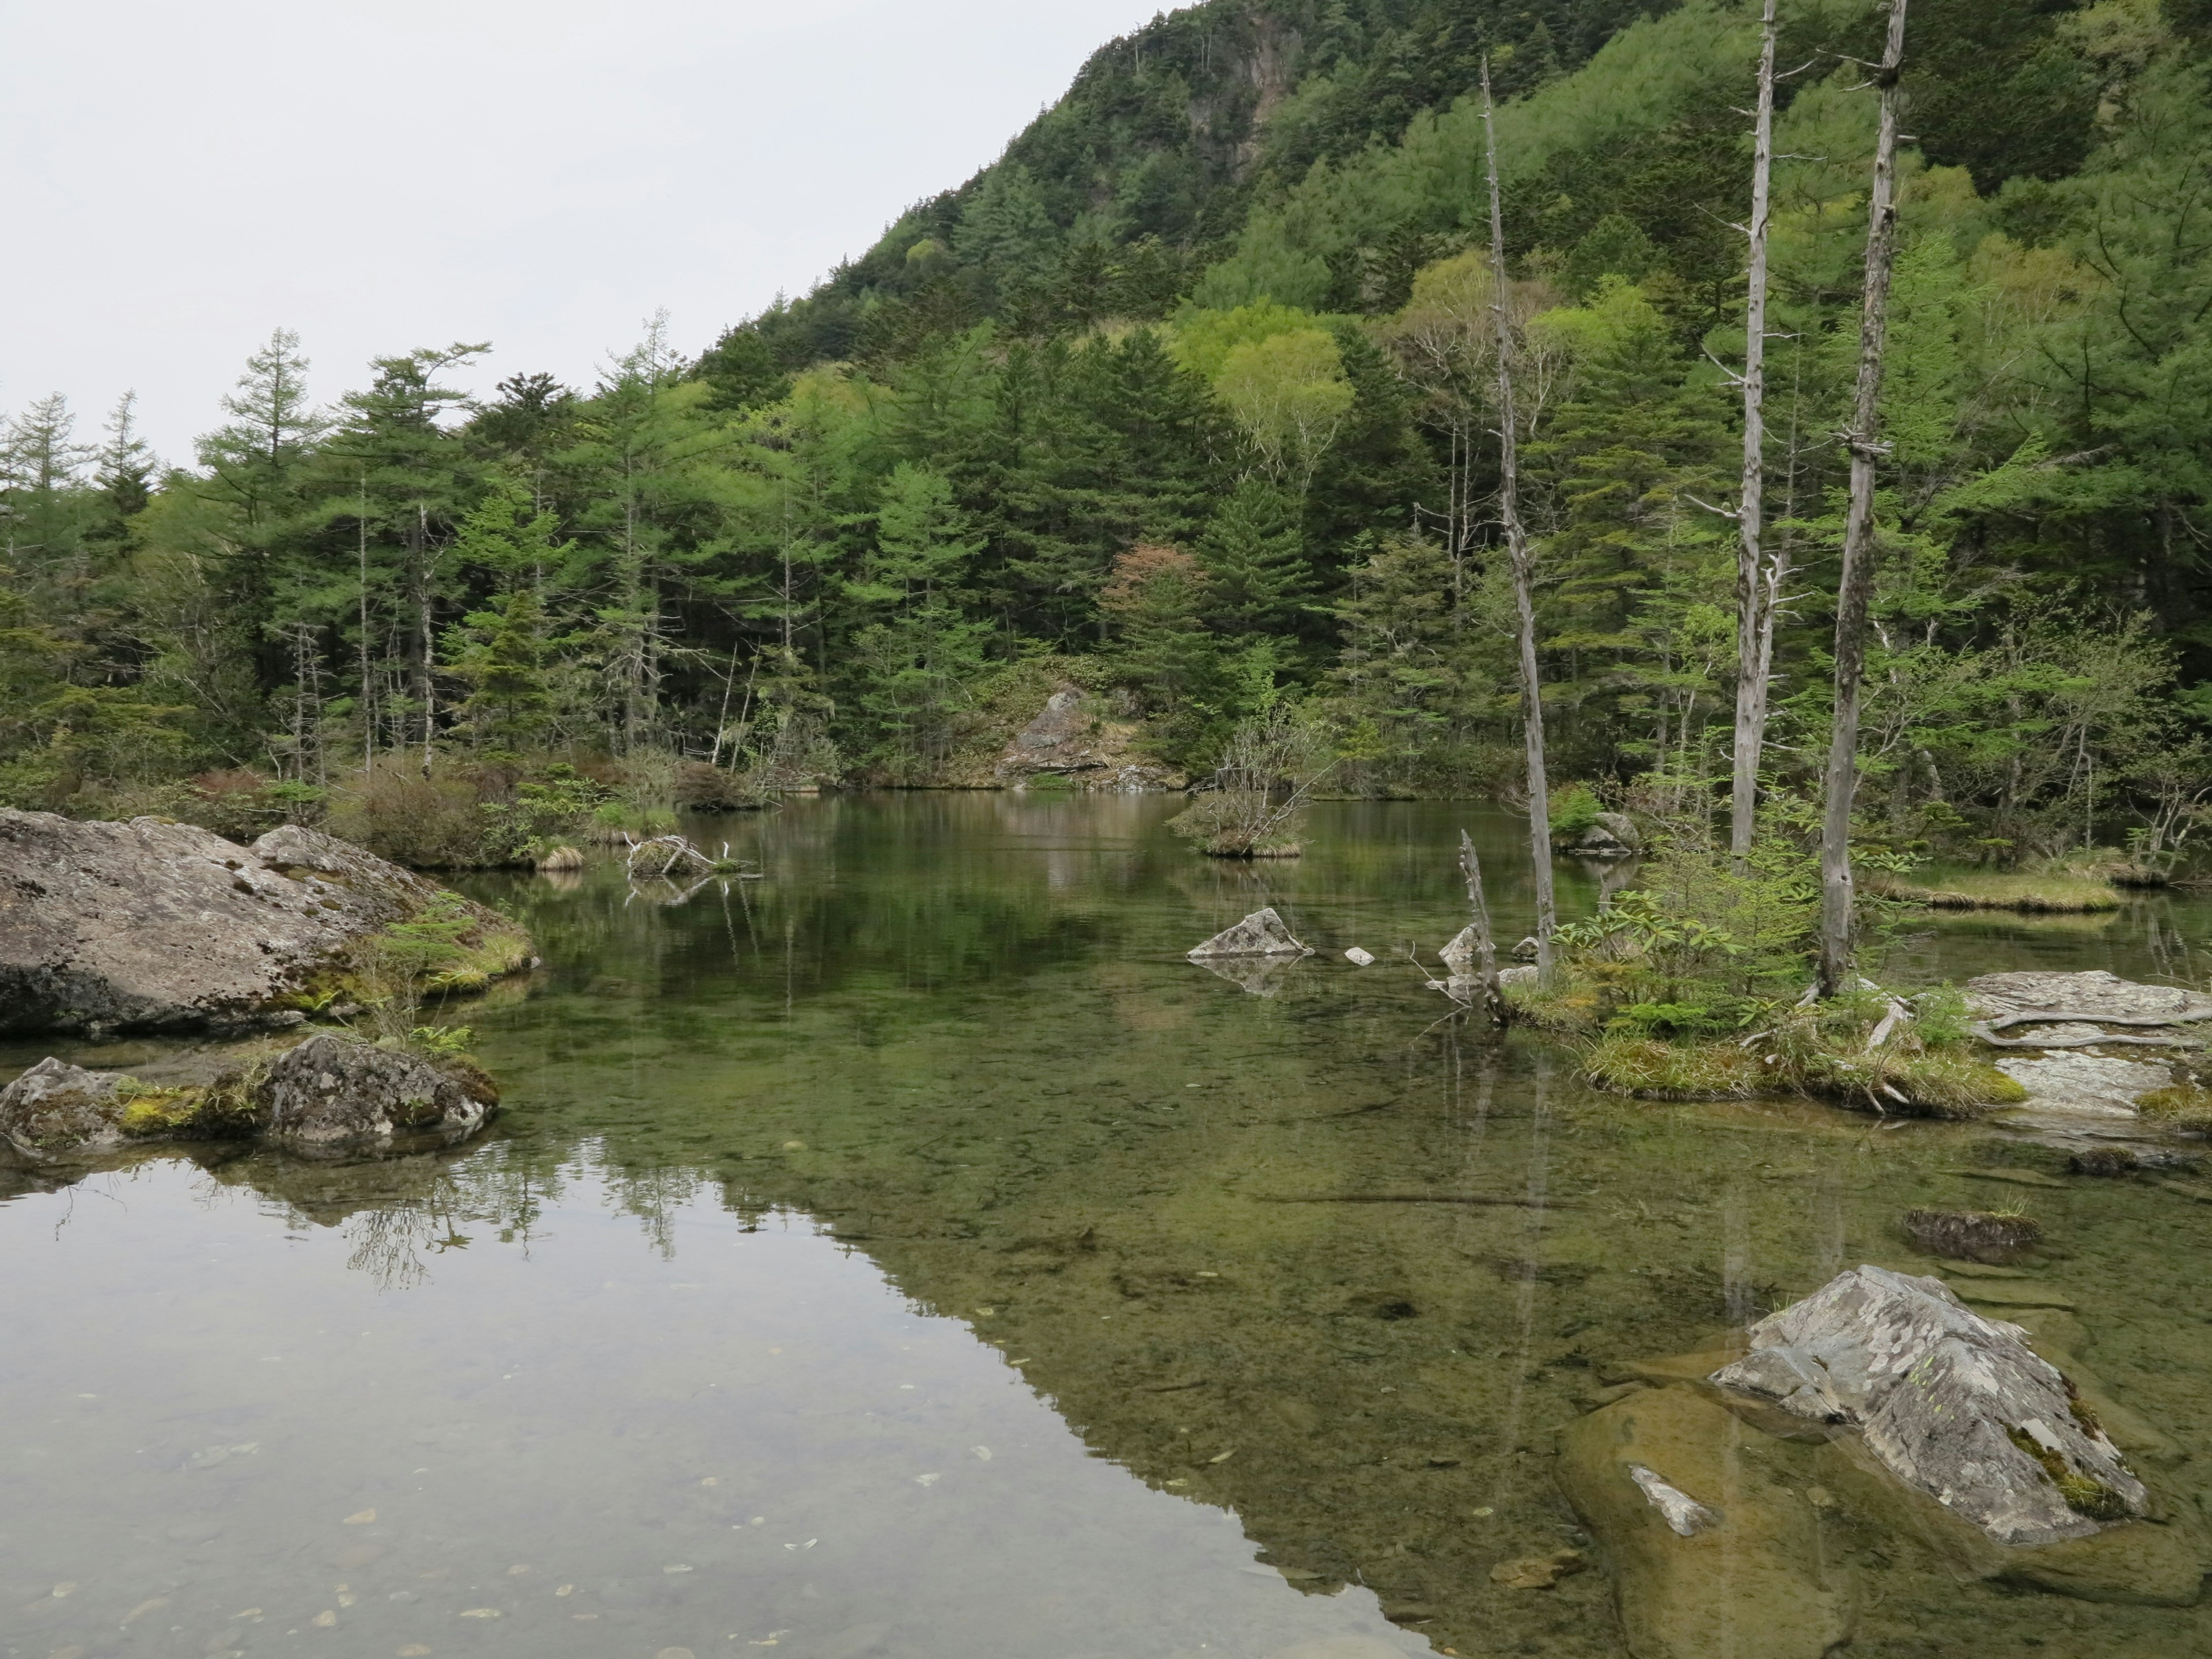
(912, 1255)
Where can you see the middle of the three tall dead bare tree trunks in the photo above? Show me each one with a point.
(1755, 596)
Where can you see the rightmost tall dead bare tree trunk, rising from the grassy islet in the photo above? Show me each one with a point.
(1855, 592)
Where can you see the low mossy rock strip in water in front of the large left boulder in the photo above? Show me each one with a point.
(331, 1094)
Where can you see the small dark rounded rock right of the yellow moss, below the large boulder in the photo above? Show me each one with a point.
(335, 1092)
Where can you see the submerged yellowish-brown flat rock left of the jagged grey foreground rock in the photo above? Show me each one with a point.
(1746, 1574)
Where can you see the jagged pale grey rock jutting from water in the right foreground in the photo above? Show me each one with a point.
(1952, 1404)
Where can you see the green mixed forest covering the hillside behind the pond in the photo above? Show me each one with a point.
(1189, 401)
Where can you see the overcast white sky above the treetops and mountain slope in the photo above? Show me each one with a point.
(397, 174)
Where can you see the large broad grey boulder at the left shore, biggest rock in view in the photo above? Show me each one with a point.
(156, 926)
